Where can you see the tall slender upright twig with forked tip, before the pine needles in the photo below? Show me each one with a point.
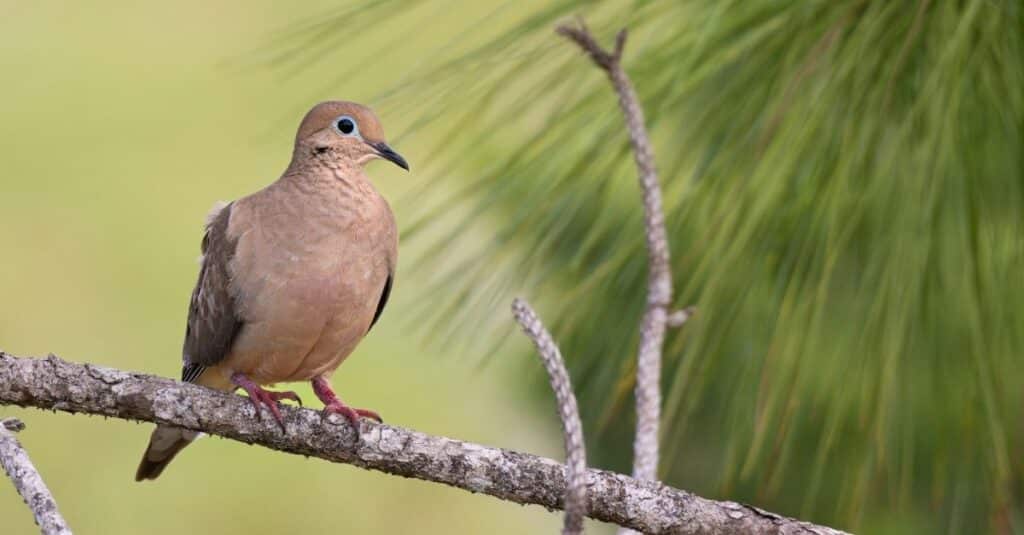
(653, 326)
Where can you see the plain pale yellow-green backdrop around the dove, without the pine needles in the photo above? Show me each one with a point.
(121, 124)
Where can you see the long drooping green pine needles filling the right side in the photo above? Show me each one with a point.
(844, 187)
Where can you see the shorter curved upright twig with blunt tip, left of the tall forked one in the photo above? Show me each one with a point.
(576, 452)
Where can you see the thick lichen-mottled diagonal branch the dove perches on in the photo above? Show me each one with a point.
(648, 507)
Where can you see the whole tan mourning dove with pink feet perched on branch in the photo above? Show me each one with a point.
(291, 277)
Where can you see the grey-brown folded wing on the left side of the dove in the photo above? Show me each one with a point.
(214, 318)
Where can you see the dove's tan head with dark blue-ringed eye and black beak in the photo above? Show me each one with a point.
(344, 132)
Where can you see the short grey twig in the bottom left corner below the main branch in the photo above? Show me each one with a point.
(27, 480)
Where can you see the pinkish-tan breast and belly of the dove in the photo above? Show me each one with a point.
(308, 295)
